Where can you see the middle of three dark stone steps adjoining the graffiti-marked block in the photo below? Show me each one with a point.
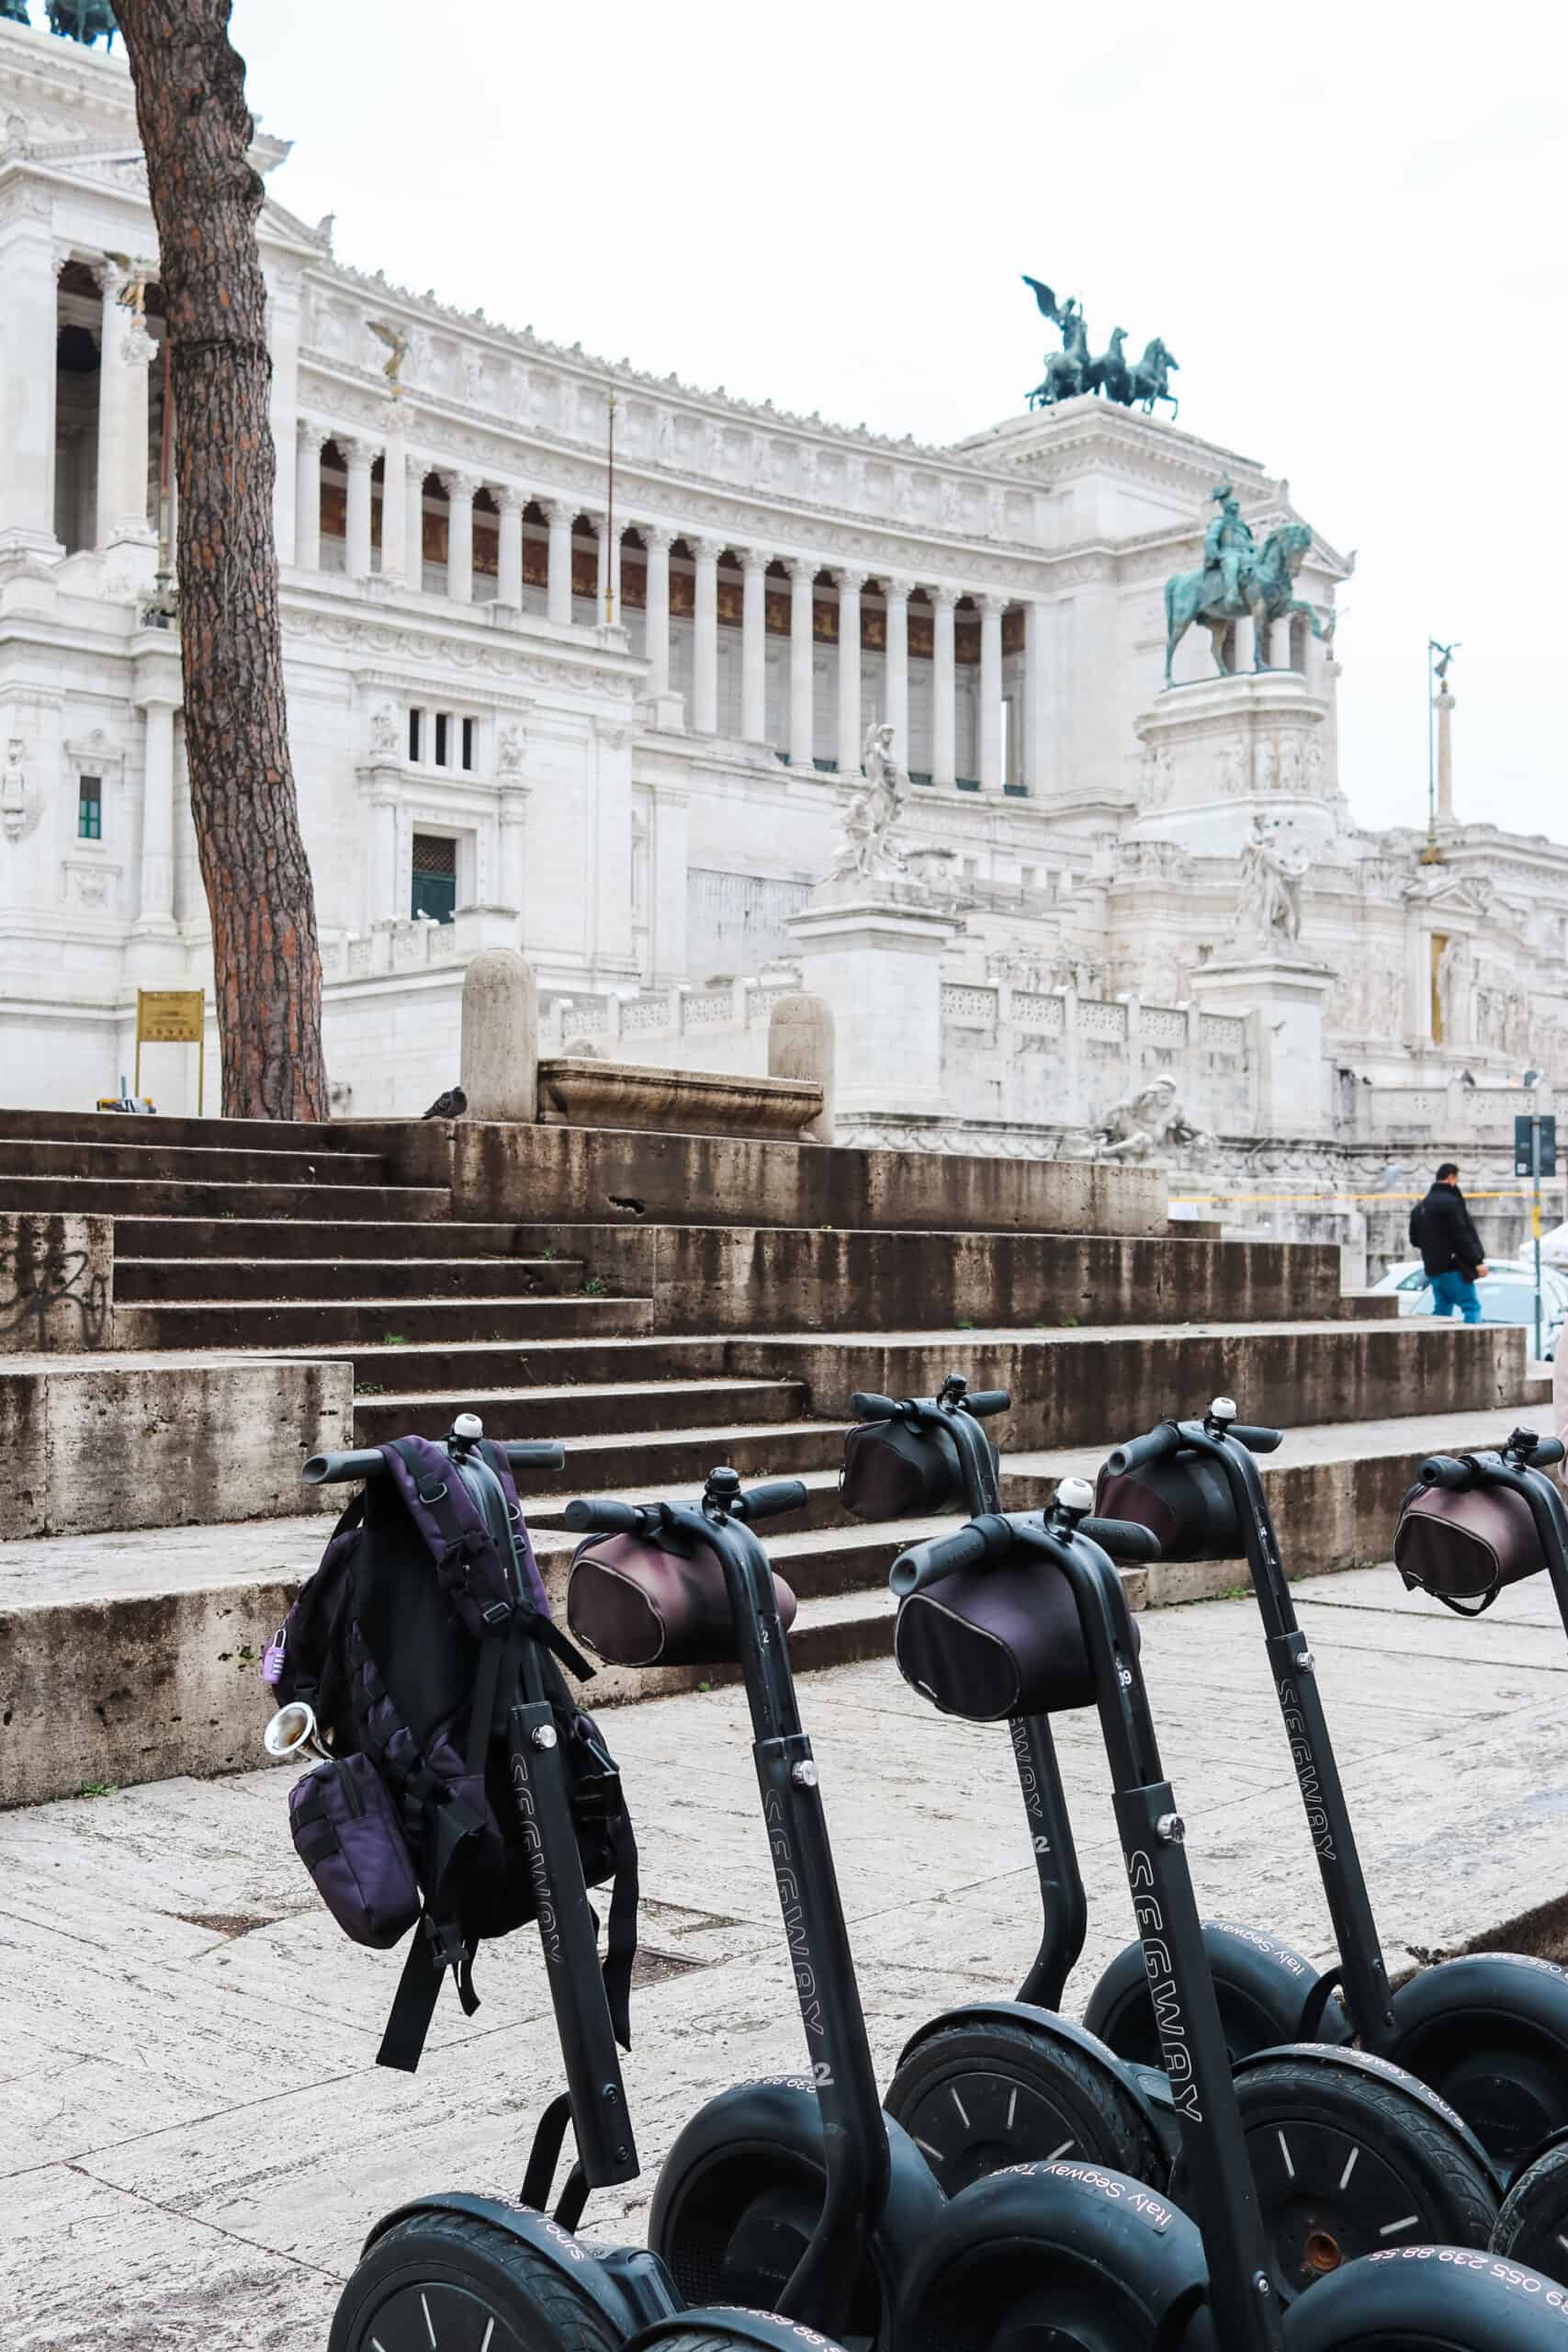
(281, 1281)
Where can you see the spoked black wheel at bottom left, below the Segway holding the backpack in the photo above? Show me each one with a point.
(464, 2276)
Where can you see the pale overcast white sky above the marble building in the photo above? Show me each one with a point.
(1348, 225)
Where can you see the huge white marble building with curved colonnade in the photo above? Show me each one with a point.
(622, 737)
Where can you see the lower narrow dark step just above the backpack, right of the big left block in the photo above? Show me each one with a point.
(570, 1412)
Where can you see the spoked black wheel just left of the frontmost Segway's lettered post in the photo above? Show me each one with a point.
(984, 2094)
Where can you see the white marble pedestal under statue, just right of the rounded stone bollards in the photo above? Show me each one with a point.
(873, 951)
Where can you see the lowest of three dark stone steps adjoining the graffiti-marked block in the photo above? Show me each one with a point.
(382, 1325)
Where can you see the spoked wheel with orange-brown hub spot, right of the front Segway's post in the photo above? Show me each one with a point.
(1351, 2160)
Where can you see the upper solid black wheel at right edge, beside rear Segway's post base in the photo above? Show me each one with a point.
(1492, 2036)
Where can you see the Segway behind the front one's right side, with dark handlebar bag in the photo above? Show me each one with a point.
(1487, 2033)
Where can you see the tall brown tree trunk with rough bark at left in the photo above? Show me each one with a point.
(196, 131)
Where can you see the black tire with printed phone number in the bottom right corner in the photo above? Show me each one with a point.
(1430, 2299)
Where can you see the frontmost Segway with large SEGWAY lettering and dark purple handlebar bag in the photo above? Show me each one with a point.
(996, 2273)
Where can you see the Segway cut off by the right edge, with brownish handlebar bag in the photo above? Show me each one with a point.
(1470, 1528)
